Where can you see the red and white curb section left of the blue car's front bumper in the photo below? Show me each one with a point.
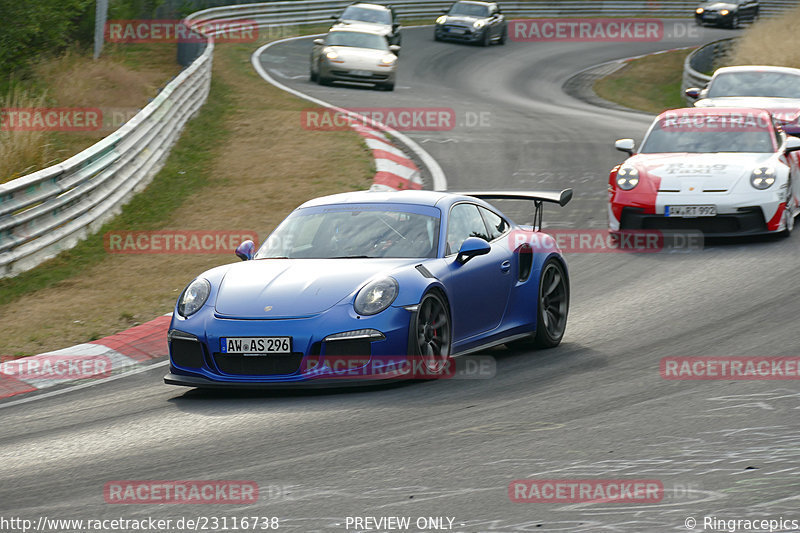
(88, 361)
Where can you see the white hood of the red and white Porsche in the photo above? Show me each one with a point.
(686, 172)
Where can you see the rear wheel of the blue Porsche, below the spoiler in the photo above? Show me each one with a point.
(553, 305)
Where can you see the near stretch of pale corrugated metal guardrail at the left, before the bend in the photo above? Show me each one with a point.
(52, 209)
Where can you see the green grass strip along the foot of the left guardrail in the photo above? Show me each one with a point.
(187, 168)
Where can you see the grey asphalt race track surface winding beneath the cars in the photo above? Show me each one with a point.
(594, 408)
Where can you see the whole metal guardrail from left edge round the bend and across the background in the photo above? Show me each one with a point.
(52, 209)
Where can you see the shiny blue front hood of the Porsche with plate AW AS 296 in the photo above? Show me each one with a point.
(285, 288)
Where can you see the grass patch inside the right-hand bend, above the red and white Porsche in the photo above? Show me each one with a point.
(651, 83)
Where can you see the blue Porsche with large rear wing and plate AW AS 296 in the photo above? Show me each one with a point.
(372, 275)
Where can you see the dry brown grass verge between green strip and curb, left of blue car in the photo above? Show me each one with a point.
(262, 164)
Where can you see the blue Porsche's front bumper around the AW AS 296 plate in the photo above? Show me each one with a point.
(197, 358)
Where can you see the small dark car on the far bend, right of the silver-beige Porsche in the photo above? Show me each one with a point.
(472, 22)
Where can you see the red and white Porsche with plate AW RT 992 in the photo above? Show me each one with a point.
(722, 171)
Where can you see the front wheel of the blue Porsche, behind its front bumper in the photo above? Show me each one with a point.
(430, 334)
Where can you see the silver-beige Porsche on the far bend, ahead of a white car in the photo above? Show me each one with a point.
(356, 56)
